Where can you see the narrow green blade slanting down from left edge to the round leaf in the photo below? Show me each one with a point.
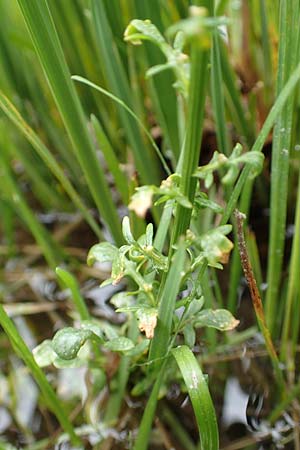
(48, 159)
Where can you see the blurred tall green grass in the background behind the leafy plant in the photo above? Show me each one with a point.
(71, 157)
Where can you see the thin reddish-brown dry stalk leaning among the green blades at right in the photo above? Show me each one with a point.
(255, 296)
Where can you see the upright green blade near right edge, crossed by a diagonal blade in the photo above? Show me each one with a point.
(289, 35)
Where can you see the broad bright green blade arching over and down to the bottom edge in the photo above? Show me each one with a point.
(200, 397)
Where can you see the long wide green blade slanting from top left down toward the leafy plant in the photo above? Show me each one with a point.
(47, 45)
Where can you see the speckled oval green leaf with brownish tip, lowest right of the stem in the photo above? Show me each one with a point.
(221, 319)
